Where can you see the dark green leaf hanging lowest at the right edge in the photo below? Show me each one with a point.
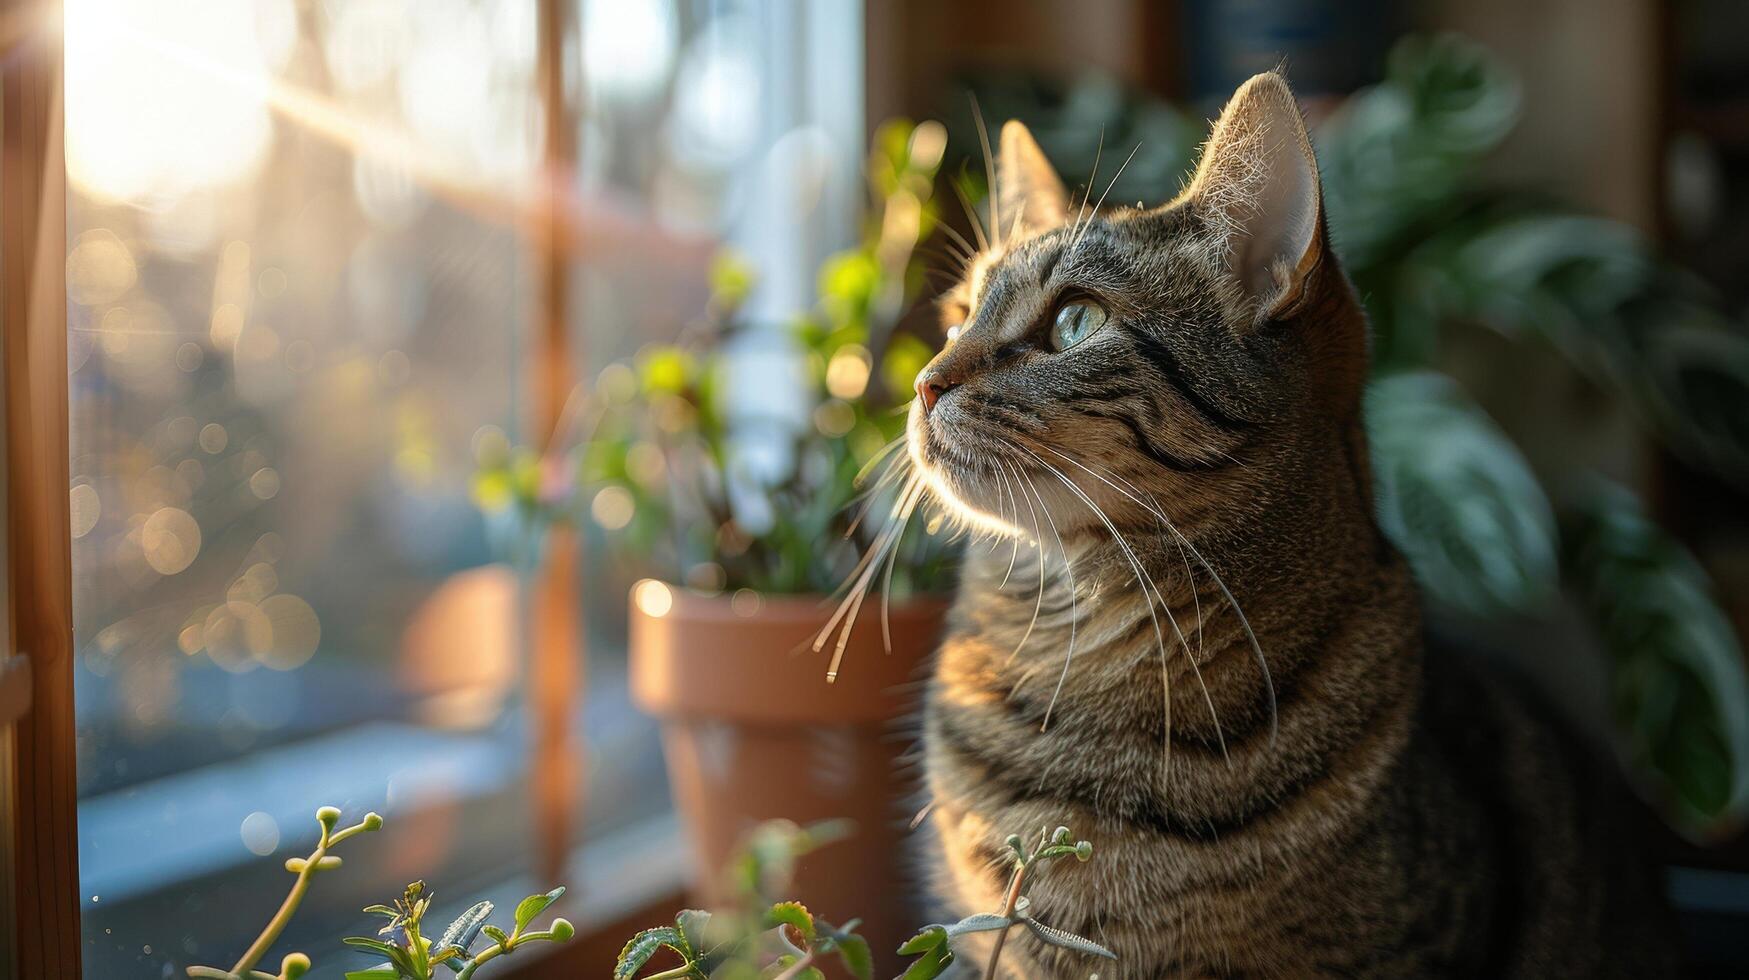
(1678, 683)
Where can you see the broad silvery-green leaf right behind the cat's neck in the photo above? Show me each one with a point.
(1458, 498)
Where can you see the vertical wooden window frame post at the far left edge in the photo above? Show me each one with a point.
(43, 795)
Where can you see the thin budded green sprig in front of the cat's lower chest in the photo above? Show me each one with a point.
(933, 948)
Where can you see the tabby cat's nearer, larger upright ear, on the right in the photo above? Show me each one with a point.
(1258, 192)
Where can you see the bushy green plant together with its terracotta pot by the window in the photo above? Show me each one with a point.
(749, 472)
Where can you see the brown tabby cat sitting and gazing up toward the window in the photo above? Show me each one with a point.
(1194, 645)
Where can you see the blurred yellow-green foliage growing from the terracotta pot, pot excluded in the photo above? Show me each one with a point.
(732, 458)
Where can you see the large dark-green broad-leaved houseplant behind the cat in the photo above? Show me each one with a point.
(1439, 255)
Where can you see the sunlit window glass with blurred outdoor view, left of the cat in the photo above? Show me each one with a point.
(300, 304)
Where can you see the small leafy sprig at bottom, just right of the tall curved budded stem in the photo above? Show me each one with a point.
(414, 956)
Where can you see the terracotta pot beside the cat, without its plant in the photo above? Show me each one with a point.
(753, 732)
